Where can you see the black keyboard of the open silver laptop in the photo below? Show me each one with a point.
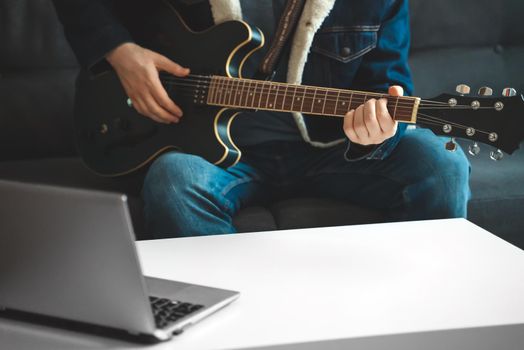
(167, 311)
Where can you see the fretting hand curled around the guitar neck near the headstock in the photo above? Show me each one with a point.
(371, 123)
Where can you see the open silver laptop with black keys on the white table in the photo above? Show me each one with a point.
(70, 254)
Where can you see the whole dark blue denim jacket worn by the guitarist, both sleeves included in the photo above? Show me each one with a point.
(361, 45)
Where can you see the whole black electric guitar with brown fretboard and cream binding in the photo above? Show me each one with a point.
(113, 139)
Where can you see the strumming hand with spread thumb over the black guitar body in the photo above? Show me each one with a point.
(138, 69)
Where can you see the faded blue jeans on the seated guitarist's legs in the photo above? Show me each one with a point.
(185, 195)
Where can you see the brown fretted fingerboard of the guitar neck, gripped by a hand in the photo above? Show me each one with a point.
(284, 97)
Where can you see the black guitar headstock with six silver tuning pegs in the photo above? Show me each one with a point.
(495, 121)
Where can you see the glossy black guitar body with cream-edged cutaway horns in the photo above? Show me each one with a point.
(113, 139)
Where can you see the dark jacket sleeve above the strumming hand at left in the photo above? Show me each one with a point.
(91, 29)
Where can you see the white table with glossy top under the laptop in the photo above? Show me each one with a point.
(362, 286)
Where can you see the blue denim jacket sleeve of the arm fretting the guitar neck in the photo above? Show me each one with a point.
(384, 66)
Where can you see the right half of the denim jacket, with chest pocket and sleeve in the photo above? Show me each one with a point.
(361, 45)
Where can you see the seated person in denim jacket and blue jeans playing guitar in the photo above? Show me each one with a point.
(368, 159)
